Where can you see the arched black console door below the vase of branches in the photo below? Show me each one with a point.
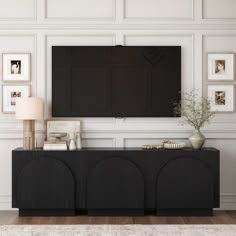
(185, 182)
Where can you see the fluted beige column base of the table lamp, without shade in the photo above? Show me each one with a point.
(28, 134)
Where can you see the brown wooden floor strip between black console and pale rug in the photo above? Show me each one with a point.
(220, 217)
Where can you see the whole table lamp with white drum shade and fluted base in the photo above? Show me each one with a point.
(29, 109)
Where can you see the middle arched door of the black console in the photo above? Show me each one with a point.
(115, 183)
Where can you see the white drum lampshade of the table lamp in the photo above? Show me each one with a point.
(29, 108)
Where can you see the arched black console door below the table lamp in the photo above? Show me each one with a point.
(45, 183)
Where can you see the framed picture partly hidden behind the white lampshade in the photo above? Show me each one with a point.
(10, 93)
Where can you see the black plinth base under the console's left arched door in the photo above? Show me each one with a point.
(47, 212)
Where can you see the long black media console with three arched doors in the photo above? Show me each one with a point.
(115, 182)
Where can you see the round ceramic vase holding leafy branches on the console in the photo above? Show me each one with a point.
(196, 112)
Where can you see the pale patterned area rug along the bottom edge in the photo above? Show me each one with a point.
(118, 230)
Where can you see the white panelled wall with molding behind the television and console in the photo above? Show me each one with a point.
(199, 26)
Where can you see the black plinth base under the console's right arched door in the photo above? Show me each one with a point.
(184, 212)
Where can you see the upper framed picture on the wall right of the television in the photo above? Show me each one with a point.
(221, 67)
